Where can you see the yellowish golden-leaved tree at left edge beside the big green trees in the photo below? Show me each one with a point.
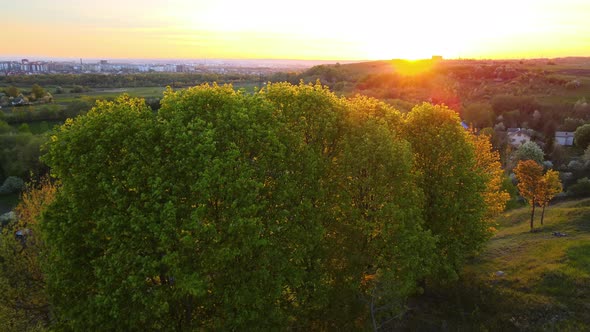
(24, 303)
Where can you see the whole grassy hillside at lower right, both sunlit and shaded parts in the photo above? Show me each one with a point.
(523, 280)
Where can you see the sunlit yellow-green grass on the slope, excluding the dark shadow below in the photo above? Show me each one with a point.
(555, 271)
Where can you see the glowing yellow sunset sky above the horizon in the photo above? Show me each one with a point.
(296, 29)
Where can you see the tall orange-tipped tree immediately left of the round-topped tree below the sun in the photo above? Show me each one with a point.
(382, 235)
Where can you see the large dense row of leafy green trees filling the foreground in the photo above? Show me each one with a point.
(289, 208)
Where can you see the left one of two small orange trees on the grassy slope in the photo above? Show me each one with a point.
(529, 175)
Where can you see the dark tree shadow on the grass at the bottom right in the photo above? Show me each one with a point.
(475, 304)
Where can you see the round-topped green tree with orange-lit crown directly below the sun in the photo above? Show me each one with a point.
(452, 183)
